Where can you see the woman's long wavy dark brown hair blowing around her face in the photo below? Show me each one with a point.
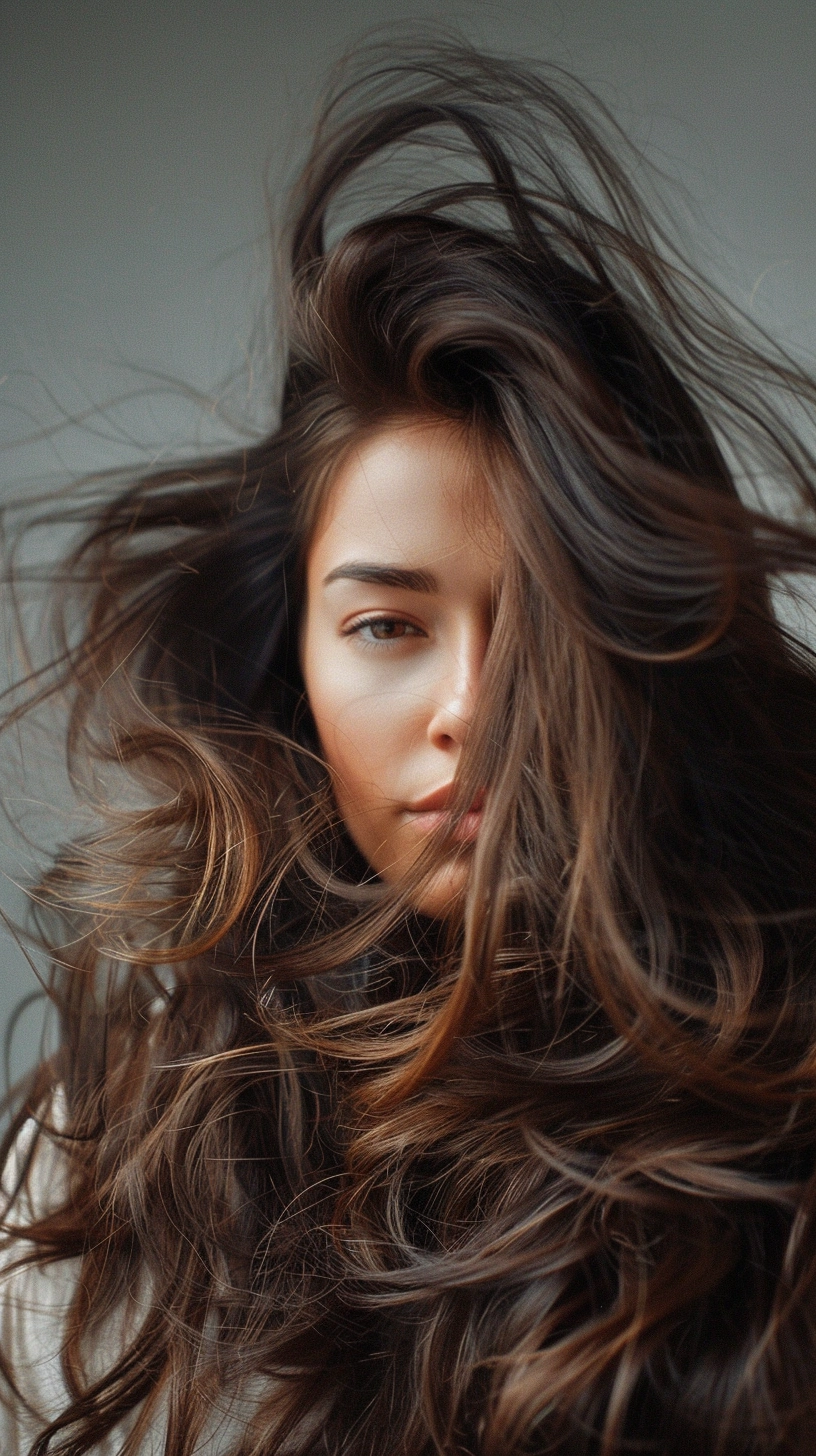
(543, 1179)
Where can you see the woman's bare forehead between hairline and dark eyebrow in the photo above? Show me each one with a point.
(410, 491)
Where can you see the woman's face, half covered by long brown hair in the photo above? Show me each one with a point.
(401, 582)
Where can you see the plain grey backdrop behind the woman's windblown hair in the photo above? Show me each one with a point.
(136, 139)
